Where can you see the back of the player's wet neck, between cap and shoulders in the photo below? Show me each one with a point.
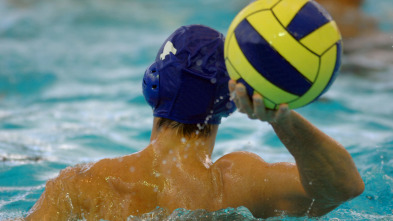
(167, 141)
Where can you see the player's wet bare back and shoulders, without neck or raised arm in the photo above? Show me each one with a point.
(136, 184)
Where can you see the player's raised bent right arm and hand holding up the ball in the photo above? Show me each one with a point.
(327, 172)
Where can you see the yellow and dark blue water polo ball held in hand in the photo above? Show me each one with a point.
(289, 51)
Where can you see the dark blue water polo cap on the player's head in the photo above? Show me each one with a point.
(188, 82)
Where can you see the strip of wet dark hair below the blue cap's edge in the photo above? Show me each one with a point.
(186, 130)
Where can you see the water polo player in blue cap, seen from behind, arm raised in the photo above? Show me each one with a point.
(187, 87)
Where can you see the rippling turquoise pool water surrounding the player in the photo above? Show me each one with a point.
(70, 92)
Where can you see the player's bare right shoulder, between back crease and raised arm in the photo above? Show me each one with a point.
(262, 187)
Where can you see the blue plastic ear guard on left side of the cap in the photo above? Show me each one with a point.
(151, 85)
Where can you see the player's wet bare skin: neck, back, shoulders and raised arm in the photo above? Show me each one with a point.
(177, 172)
